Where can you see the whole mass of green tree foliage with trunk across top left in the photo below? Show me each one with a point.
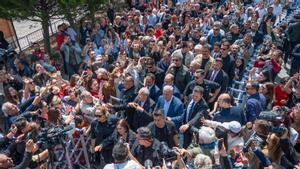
(44, 10)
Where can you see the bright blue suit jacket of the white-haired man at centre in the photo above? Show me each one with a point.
(175, 110)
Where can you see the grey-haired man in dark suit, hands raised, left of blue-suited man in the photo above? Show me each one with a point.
(139, 112)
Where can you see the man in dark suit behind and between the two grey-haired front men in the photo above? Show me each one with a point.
(149, 82)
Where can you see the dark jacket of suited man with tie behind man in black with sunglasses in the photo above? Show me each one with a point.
(221, 78)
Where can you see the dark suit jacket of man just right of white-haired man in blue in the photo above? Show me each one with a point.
(199, 110)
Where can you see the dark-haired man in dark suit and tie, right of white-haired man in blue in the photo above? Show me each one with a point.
(196, 109)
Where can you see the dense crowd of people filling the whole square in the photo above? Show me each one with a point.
(155, 86)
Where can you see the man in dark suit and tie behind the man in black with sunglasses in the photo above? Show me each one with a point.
(218, 75)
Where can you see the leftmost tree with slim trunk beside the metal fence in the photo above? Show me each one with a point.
(35, 10)
